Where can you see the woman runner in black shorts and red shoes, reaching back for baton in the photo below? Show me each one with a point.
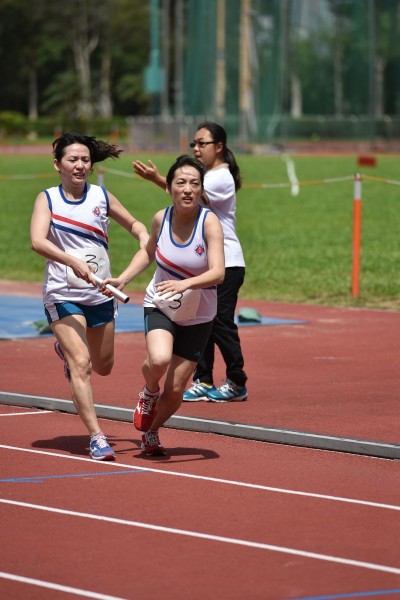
(186, 241)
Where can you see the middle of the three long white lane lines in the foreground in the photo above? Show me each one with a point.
(208, 537)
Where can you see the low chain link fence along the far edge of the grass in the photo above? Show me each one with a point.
(169, 134)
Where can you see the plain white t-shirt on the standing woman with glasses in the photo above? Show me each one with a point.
(220, 187)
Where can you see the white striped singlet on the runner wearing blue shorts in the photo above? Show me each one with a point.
(77, 227)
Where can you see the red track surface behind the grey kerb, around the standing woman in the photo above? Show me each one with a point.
(337, 374)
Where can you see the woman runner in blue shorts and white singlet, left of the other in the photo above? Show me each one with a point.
(69, 227)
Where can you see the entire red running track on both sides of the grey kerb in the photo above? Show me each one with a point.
(219, 517)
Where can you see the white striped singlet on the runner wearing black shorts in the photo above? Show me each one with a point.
(180, 261)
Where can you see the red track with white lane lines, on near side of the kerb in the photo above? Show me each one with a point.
(219, 518)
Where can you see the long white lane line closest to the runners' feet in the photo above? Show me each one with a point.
(255, 486)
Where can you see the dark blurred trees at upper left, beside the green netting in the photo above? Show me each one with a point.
(80, 58)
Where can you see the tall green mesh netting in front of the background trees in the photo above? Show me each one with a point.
(311, 66)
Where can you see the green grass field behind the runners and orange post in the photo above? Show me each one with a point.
(297, 248)
